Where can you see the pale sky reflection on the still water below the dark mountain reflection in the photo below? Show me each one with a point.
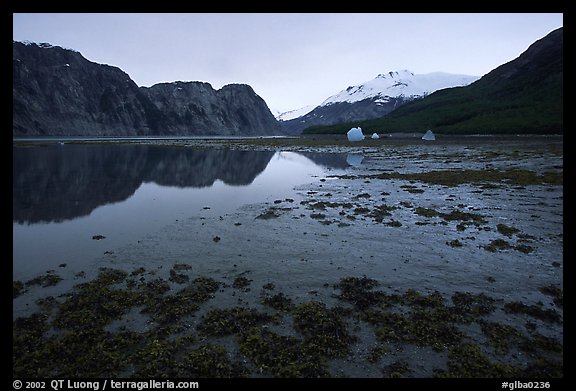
(43, 246)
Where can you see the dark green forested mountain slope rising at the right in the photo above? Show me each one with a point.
(523, 96)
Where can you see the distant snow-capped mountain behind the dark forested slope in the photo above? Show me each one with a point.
(373, 98)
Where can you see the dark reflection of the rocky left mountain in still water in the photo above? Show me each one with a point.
(55, 183)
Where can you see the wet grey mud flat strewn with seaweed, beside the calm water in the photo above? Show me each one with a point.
(440, 259)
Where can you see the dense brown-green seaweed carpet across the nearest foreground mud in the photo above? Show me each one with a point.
(73, 336)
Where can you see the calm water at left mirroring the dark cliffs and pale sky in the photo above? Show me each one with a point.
(65, 195)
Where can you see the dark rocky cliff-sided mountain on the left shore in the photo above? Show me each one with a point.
(57, 91)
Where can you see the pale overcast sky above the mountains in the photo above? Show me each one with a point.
(291, 60)
